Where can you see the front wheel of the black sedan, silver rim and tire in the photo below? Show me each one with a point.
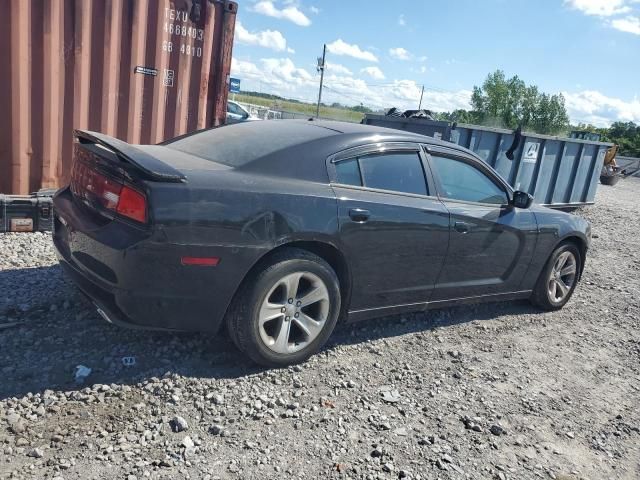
(558, 279)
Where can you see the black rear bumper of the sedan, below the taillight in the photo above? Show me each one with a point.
(138, 281)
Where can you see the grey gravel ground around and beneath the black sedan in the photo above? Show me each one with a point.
(494, 391)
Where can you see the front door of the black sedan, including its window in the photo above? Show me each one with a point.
(490, 241)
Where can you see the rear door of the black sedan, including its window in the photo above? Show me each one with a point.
(394, 231)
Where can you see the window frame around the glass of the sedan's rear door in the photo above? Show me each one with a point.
(381, 148)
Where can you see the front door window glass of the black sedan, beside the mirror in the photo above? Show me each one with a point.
(461, 181)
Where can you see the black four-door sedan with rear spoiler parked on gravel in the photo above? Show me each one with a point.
(281, 228)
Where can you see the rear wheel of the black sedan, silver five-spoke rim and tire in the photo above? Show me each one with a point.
(285, 312)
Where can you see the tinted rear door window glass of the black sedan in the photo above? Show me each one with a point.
(398, 172)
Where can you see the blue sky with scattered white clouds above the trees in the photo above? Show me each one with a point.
(380, 53)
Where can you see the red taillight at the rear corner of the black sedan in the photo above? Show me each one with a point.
(98, 190)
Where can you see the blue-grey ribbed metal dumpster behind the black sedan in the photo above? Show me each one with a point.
(559, 172)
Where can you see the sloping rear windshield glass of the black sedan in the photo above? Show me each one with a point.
(239, 144)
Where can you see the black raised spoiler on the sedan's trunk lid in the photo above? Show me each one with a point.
(151, 166)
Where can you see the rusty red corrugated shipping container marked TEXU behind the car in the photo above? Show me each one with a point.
(139, 70)
